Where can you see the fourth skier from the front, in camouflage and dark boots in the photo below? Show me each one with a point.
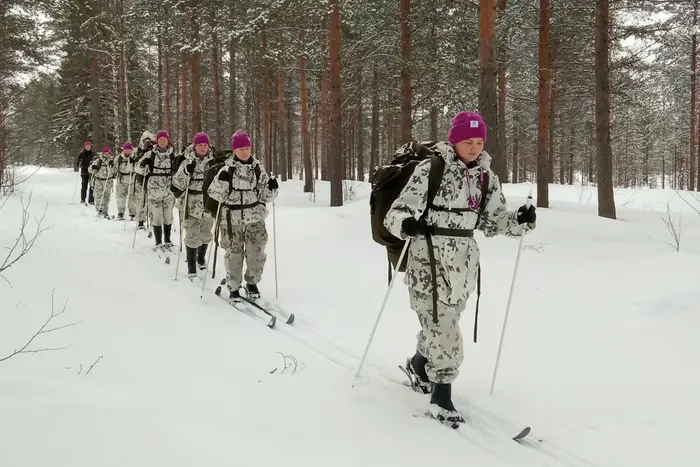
(158, 164)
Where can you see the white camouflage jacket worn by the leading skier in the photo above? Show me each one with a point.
(457, 258)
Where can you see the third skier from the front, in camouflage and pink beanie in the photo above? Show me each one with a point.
(197, 222)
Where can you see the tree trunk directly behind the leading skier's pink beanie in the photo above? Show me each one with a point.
(488, 82)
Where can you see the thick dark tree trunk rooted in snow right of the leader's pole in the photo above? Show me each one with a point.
(606, 198)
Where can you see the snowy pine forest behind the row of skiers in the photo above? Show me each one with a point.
(592, 92)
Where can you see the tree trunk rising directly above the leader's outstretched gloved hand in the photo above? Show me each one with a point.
(543, 162)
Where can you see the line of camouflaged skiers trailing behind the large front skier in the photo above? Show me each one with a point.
(153, 178)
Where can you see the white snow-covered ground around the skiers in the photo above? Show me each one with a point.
(600, 357)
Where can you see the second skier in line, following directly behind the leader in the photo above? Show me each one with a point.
(243, 189)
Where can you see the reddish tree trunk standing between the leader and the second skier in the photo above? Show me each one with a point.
(336, 159)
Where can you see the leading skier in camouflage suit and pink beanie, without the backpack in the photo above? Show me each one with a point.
(439, 351)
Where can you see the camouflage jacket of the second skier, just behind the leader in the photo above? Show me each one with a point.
(246, 195)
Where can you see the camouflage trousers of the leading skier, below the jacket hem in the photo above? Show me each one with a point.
(440, 343)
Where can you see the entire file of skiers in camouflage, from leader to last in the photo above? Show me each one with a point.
(438, 217)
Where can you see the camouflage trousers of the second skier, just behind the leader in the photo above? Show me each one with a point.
(245, 242)
